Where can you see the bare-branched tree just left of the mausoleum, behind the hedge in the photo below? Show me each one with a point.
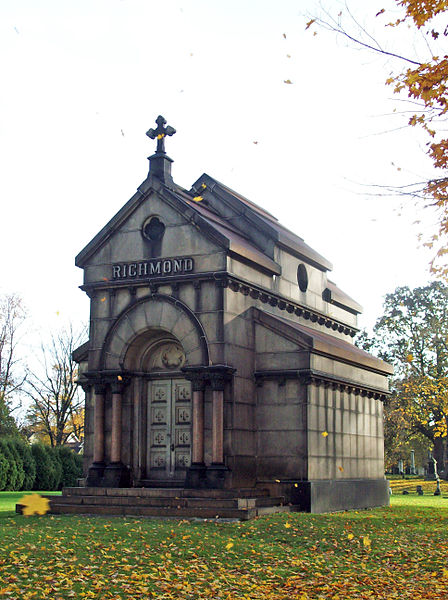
(57, 408)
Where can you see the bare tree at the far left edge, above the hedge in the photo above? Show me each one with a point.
(12, 315)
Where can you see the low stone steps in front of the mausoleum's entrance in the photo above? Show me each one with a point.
(238, 504)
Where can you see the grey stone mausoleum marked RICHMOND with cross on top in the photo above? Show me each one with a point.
(221, 355)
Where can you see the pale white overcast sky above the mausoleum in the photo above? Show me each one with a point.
(83, 80)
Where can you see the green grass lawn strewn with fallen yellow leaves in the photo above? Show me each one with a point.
(397, 552)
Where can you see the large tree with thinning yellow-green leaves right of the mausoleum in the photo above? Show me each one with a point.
(412, 335)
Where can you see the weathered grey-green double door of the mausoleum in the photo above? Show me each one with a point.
(169, 429)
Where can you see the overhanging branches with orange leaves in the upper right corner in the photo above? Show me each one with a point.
(423, 80)
